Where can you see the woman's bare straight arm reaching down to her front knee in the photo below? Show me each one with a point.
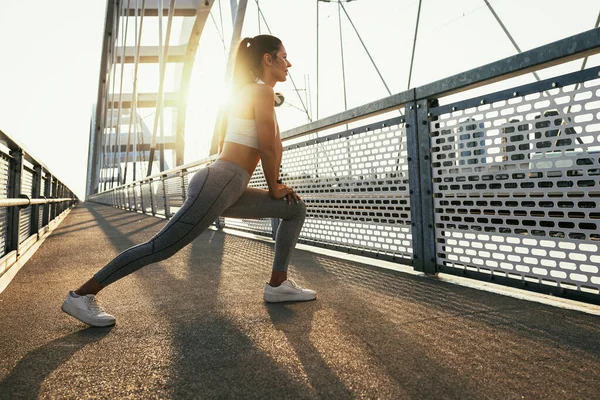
(270, 150)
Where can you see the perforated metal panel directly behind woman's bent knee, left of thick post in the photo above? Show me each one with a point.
(356, 189)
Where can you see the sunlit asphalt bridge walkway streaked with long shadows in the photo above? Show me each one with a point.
(195, 326)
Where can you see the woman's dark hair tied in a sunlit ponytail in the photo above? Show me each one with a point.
(248, 60)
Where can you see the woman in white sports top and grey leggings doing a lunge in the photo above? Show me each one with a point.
(251, 135)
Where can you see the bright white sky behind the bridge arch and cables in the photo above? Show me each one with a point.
(51, 55)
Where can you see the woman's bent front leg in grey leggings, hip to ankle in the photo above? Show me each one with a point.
(257, 203)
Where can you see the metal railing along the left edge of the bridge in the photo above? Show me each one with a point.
(31, 199)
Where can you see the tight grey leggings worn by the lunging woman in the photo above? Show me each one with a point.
(218, 190)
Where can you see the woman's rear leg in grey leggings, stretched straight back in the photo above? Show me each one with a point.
(210, 191)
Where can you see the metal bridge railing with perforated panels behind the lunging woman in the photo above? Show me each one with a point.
(501, 187)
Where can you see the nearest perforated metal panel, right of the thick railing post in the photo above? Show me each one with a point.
(517, 187)
